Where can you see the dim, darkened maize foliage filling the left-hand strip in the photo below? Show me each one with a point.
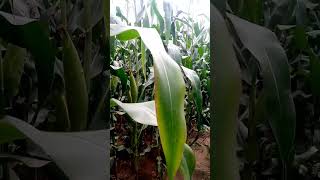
(54, 82)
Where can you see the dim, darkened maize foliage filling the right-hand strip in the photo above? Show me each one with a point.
(273, 48)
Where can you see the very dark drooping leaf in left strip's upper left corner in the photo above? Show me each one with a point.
(21, 31)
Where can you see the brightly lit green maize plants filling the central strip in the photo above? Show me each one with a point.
(153, 61)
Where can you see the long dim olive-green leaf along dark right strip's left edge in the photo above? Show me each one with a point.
(226, 90)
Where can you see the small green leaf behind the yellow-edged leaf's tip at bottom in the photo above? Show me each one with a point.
(188, 163)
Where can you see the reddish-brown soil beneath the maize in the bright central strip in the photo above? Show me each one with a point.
(125, 169)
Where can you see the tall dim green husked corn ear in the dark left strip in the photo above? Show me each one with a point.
(75, 85)
